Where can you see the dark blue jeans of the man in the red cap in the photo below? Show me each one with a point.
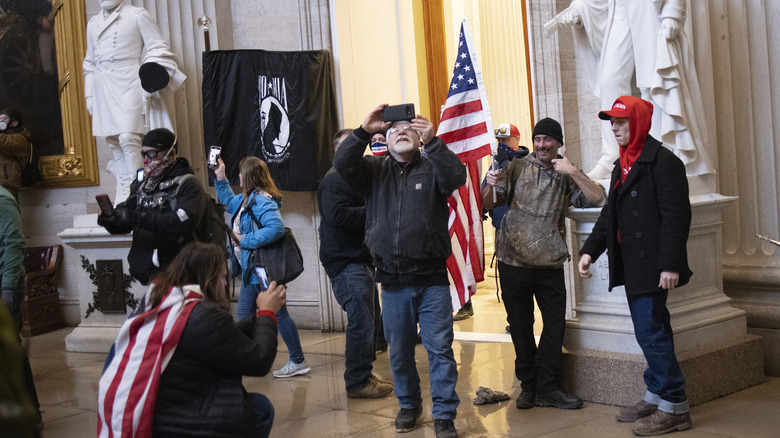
(663, 377)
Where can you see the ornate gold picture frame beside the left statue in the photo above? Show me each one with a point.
(78, 167)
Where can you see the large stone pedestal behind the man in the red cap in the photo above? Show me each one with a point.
(600, 341)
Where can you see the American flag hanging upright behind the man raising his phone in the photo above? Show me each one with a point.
(467, 129)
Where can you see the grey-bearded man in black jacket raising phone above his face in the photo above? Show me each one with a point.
(406, 195)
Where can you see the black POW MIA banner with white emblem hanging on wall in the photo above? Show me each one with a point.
(278, 106)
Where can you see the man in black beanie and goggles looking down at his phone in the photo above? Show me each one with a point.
(163, 210)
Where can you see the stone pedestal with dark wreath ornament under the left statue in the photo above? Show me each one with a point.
(97, 332)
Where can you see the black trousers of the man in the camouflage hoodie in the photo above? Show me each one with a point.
(538, 369)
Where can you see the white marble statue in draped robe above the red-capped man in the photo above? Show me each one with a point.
(618, 39)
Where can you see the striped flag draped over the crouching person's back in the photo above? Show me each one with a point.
(127, 391)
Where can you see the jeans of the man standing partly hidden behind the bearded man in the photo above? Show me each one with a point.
(356, 293)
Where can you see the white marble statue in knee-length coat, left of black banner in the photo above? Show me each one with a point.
(119, 39)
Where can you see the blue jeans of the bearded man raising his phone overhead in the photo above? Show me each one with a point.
(403, 306)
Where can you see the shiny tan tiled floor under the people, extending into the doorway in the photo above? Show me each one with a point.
(316, 405)
